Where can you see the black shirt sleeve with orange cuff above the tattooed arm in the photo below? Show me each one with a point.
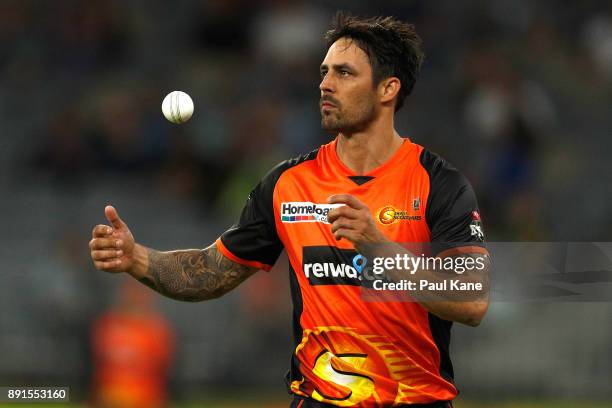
(253, 240)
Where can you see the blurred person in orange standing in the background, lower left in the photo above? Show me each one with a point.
(132, 347)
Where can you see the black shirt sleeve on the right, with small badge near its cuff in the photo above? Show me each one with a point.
(452, 211)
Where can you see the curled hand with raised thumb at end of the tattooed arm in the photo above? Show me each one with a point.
(112, 247)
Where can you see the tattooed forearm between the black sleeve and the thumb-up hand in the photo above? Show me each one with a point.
(193, 275)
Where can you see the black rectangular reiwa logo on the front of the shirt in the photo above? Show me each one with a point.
(325, 265)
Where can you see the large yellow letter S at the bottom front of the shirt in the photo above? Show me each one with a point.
(331, 368)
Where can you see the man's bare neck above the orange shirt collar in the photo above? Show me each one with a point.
(364, 151)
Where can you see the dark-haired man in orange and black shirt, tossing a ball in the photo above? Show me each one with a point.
(362, 193)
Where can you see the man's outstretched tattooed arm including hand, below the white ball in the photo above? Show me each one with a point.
(189, 275)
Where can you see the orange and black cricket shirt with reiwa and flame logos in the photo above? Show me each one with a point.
(349, 352)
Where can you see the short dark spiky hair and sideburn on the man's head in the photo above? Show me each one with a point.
(392, 46)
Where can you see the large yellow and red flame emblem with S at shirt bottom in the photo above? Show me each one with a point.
(342, 367)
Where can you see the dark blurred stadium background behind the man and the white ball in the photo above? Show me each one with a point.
(516, 93)
